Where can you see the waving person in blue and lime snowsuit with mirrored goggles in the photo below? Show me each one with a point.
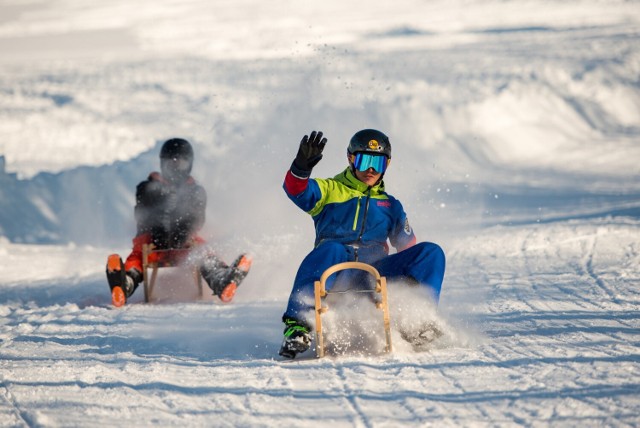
(354, 221)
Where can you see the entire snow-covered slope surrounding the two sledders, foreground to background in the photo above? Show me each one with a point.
(516, 130)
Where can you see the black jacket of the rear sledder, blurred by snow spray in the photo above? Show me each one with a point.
(170, 213)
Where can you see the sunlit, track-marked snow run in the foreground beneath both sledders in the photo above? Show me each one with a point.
(542, 329)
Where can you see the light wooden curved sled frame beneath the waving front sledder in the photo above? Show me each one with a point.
(321, 292)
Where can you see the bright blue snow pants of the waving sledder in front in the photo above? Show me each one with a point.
(423, 263)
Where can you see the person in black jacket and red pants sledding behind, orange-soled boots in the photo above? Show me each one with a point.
(170, 210)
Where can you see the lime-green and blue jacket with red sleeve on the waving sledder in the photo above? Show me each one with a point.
(346, 210)
